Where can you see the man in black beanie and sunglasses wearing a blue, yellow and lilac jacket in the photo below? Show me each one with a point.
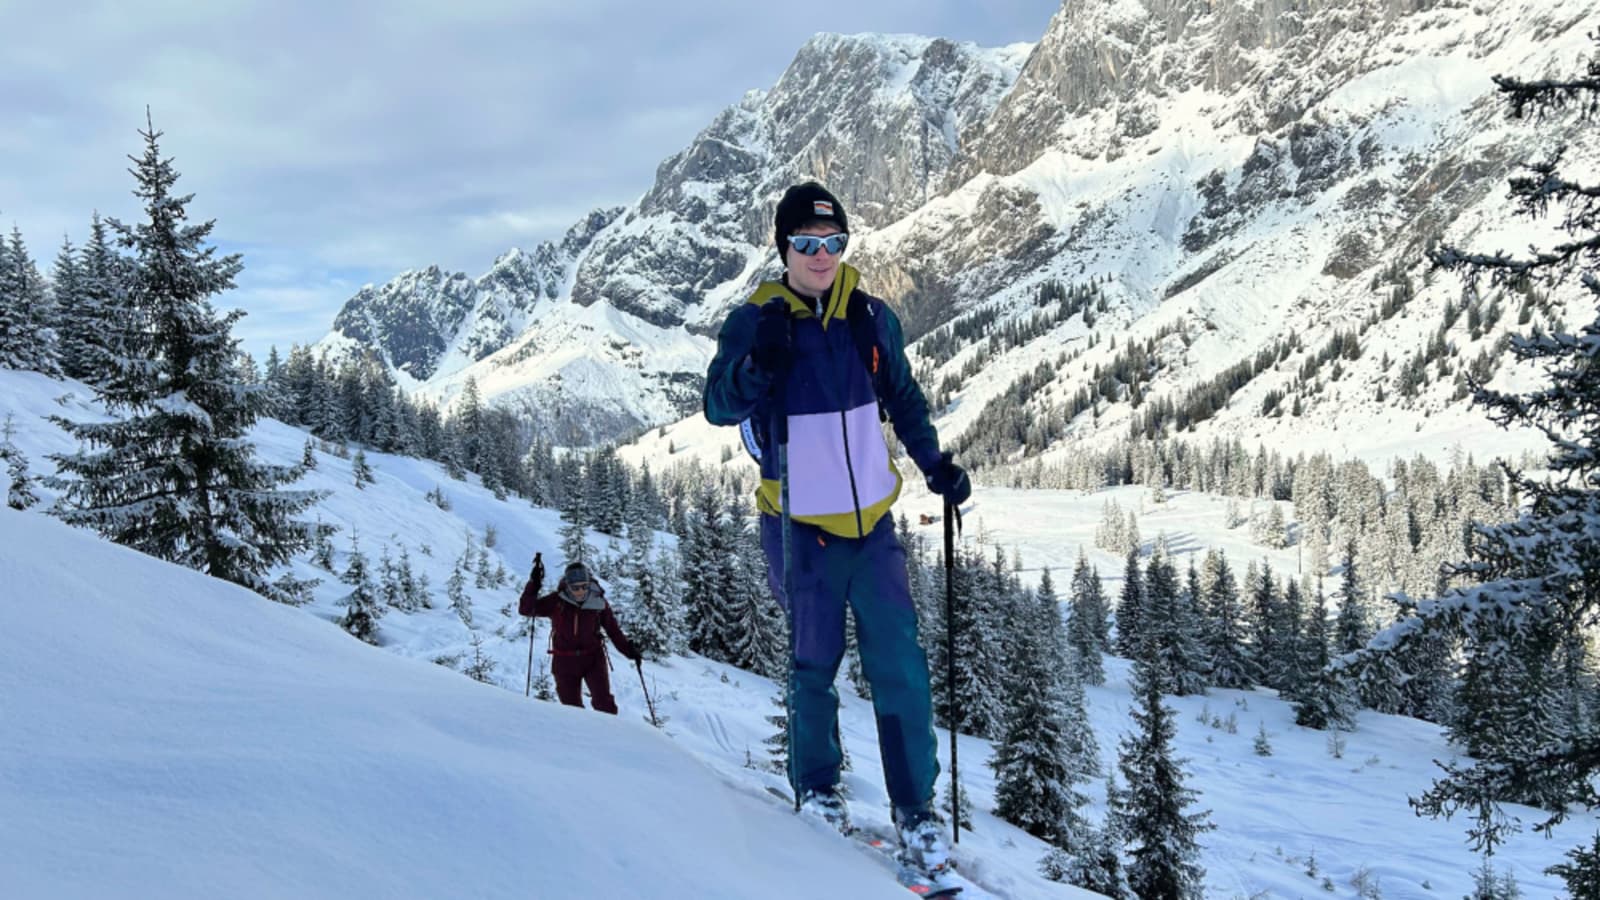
(791, 352)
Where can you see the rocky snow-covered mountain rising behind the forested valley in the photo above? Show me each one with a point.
(1234, 180)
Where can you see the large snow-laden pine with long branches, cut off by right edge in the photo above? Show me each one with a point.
(1538, 577)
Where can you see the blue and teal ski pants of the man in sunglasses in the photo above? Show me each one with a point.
(870, 574)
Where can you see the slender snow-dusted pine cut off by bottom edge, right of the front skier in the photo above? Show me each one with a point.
(1161, 835)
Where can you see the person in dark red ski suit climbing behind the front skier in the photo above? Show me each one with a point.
(578, 611)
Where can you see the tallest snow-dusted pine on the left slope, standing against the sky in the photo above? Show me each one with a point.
(174, 476)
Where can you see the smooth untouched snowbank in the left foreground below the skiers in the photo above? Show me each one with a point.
(172, 736)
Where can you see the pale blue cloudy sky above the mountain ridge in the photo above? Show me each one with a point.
(342, 143)
